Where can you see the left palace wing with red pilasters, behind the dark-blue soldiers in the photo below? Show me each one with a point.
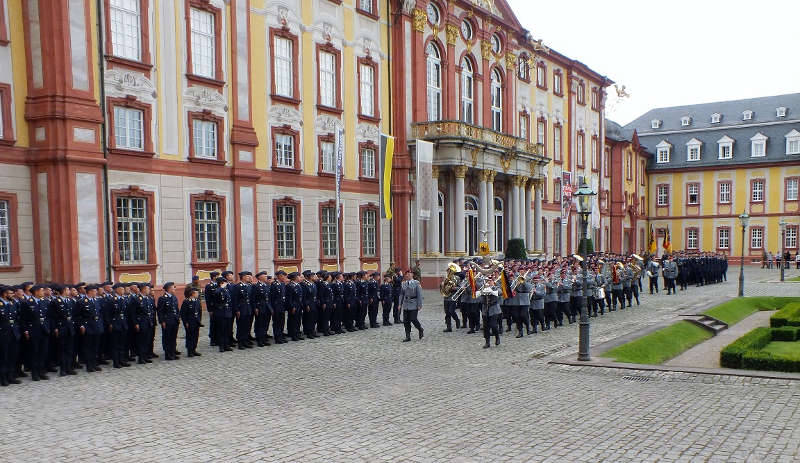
(154, 140)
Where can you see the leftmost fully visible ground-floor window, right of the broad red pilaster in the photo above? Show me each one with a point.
(132, 230)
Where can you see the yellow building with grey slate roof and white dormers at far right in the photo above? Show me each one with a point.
(711, 162)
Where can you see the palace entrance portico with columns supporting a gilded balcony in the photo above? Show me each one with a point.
(484, 183)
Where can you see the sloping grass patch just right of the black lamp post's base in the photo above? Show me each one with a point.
(660, 346)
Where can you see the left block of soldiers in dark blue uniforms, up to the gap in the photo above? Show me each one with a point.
(58, 327)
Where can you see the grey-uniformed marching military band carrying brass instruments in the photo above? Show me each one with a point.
(536, 294)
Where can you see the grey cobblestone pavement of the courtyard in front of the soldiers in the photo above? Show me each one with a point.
(368, 397)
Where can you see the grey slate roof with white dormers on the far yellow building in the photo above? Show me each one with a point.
(764, 121)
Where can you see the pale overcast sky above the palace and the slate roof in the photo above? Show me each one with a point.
(674, 52)
